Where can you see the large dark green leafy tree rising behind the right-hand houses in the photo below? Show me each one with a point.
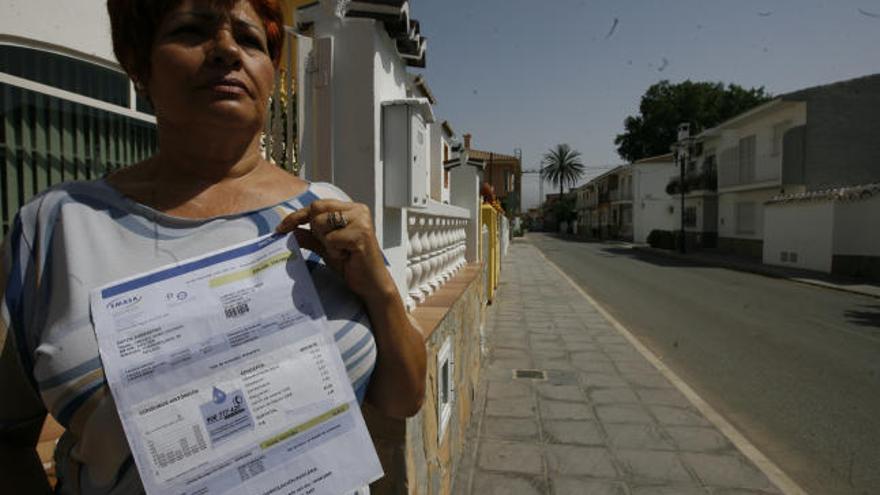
(665, 105)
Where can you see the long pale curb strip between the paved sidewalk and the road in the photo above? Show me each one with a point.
(771, 470)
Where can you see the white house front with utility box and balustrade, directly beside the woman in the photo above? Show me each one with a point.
(370, 131)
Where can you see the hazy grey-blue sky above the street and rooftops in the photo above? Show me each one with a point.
(530, 74)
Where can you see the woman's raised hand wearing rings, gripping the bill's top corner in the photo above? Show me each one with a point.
(350, 246)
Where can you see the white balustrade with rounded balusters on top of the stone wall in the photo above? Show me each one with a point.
(435, 251)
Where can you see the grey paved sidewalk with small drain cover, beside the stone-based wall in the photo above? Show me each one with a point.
(604, 421)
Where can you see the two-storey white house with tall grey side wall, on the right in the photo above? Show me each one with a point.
(810, 140)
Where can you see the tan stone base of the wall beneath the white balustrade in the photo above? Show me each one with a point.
(415, 457)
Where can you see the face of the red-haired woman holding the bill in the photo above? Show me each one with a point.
(210, 67)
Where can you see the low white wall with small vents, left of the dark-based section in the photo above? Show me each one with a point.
(803, 228)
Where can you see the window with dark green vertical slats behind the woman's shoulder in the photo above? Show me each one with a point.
(46, 140)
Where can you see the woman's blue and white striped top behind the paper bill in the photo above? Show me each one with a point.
(82, 235)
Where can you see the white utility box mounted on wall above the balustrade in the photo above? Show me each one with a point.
(405, 146)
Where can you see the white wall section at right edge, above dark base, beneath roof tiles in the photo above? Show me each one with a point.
(857, 227)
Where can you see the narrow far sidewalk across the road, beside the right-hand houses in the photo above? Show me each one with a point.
(809, 277)
